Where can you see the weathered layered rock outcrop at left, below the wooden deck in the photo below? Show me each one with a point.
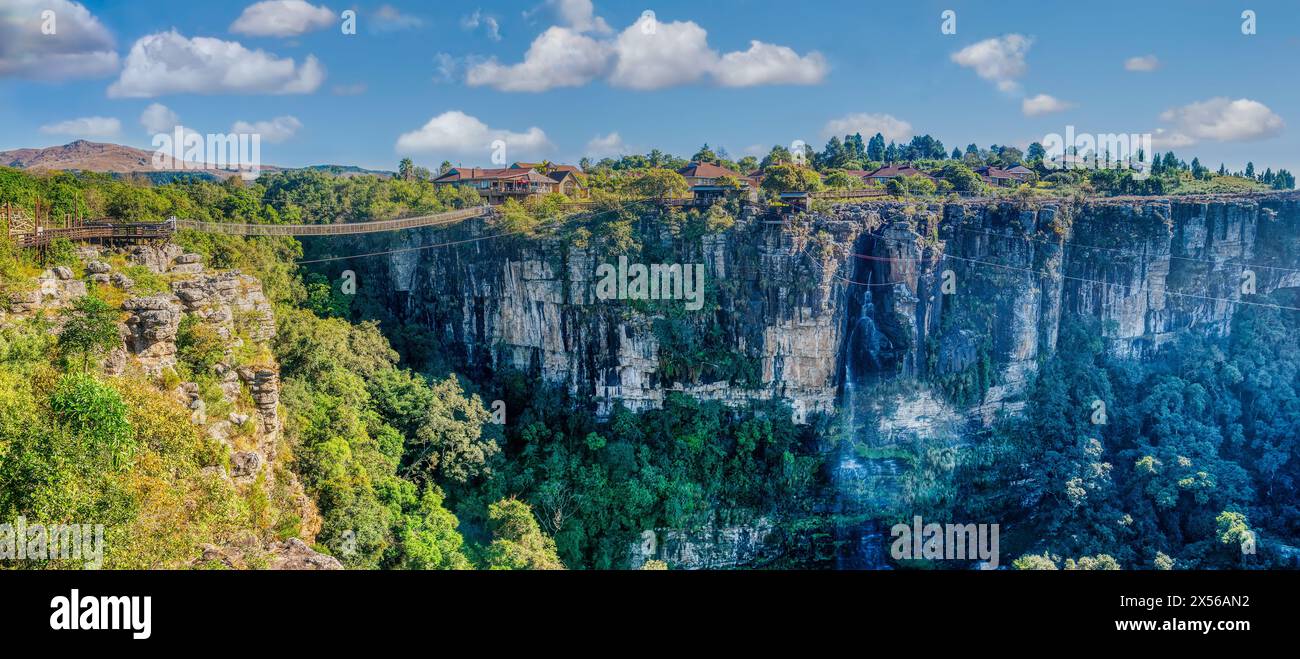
(245, 379)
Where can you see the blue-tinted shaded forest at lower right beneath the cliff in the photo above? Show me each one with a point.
(1201, 450)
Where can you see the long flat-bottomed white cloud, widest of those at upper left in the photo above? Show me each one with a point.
(170, 63)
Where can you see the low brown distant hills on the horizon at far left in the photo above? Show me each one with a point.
(118, 159)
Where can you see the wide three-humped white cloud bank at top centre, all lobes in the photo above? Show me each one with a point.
(649, 55)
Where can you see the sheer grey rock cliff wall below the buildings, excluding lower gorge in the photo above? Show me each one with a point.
(829, 302)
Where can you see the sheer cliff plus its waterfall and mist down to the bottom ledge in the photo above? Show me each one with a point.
(896, 333)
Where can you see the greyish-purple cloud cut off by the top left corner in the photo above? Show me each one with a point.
(81, 46)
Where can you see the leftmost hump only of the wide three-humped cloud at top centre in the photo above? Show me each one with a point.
(560, 58)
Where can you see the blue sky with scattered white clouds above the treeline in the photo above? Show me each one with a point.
(440, 81)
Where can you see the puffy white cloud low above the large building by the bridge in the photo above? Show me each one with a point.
(457, 133)
